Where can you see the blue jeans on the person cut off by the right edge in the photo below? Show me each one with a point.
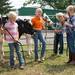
(70, 41)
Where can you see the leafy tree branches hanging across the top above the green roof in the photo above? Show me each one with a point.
(56, 4)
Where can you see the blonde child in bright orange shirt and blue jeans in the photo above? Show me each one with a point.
(38, 26)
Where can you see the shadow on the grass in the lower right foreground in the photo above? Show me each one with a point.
(56, 68)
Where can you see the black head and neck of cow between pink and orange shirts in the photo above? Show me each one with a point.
(24, 26)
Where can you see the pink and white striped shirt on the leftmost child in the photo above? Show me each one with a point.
(12, 28)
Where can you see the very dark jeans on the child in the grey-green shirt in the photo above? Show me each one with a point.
(58, 40)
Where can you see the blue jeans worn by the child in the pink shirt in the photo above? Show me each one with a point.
(15, 46)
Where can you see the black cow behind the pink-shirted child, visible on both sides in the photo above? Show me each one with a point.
(24, 26)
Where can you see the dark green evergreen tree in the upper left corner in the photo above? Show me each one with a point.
(4, 6)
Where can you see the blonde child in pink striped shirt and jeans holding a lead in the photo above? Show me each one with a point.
(12, 27)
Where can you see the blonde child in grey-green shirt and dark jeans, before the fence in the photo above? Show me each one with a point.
(58, 38)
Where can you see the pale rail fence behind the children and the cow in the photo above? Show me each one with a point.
(49, 37)
